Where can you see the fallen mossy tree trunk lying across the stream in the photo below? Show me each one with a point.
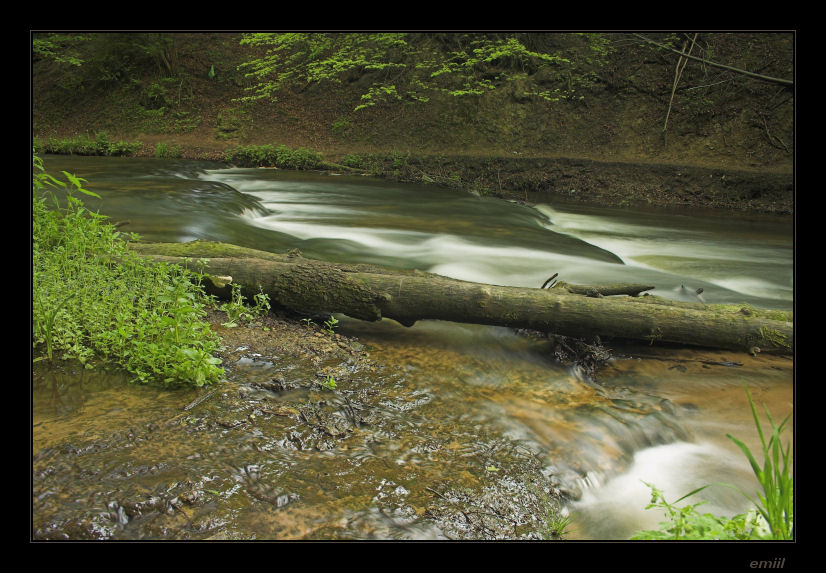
(370, 292)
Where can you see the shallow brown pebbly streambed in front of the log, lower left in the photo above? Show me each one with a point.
(307, 438)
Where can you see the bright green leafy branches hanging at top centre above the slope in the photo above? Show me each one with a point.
(412, 67)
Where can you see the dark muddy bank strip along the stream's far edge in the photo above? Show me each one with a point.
(582, 180)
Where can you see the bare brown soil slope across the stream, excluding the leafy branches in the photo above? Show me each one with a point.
(729, 142)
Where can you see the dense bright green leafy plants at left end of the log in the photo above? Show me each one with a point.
(97, 302)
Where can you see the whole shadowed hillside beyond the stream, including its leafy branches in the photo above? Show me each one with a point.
(535, 125)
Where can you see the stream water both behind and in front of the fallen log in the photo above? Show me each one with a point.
(447, 410)
